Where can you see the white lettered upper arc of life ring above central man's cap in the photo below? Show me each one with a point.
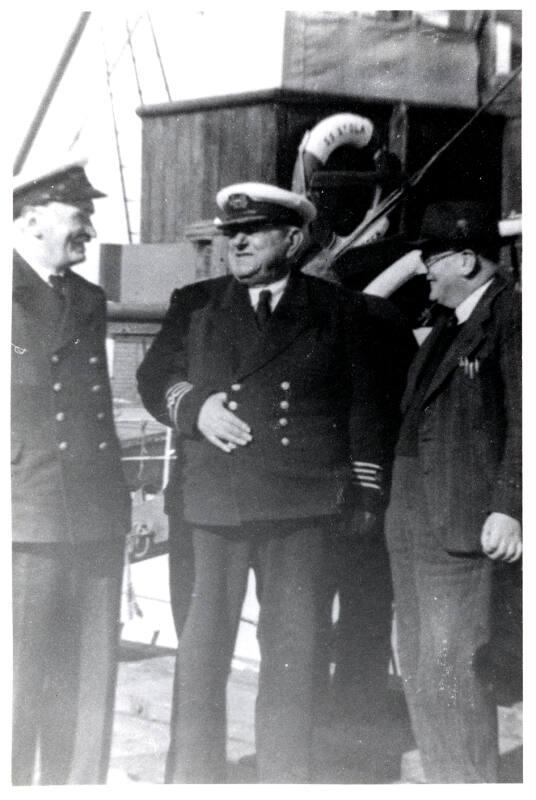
(321, 141)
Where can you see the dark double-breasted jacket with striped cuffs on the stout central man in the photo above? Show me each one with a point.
(319, 387)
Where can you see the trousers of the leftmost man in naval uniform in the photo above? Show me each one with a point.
(66, 612)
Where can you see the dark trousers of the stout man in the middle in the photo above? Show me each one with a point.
(288, 559)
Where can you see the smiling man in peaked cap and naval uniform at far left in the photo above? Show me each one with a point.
(70, 506)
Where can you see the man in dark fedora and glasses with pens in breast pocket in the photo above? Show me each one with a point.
(455, 511)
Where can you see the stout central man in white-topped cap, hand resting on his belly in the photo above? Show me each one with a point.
(283, 389)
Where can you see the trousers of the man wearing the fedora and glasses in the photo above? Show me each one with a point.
(442, 606)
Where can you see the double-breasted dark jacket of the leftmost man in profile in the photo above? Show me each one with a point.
(66, 475)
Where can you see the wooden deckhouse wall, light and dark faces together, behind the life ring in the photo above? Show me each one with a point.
(189, 153)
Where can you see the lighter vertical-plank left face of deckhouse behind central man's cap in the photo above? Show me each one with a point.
(188, 158)
